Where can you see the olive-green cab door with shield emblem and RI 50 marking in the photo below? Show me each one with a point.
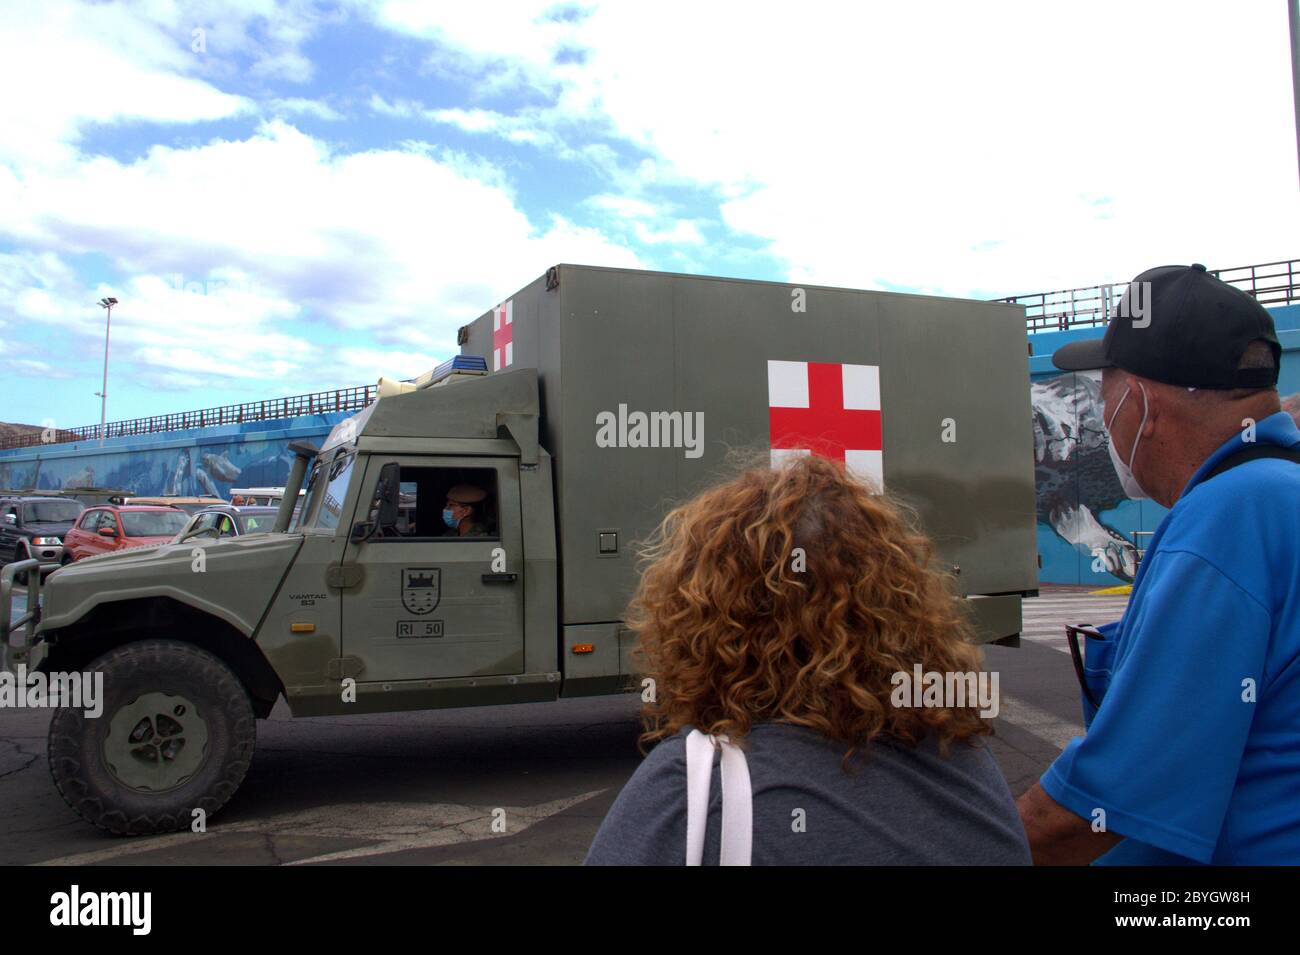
(432, 604)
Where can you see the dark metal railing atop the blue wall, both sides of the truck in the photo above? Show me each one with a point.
(1273, 284)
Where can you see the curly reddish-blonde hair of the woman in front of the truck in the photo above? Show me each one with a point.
(795, 594)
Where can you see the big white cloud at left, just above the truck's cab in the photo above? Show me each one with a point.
(396, 246)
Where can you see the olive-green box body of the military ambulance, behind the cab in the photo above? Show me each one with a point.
(955, 428)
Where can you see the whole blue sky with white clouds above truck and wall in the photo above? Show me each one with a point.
(297, 197)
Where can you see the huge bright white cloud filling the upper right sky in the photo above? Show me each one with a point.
(968, 149)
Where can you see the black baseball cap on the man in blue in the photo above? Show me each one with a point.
(1181, 325)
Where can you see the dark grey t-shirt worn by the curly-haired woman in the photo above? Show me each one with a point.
(896, 806)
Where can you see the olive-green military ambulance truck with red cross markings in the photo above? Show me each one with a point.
(578, 413)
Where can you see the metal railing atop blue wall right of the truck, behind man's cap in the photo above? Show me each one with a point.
(1272, 284)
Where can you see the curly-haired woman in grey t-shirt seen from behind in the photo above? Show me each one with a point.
(778, 610)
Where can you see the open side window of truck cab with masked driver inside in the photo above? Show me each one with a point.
(424, 496)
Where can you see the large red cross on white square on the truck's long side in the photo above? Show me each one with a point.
(829, 410)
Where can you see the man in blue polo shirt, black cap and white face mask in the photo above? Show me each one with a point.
(1193, 754)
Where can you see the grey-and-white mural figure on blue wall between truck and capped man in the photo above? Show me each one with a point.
(1080, 496)
